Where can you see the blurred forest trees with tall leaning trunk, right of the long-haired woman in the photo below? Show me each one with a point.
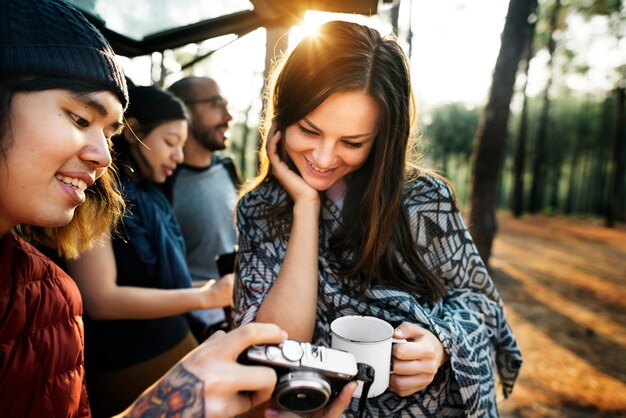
(561, 152)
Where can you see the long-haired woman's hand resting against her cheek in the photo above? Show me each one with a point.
(295, 185)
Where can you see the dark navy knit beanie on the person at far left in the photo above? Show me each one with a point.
(51, 38)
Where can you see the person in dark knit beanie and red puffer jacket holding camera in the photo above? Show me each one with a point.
(62, 96)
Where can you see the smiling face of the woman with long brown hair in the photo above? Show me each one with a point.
(333, 140)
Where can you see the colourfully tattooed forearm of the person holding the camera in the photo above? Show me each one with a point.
(178, 395)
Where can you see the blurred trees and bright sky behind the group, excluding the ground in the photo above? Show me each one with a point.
(546, 135)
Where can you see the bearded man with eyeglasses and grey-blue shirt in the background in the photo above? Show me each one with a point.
(203, 190)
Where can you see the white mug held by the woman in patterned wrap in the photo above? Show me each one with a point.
(369, 340)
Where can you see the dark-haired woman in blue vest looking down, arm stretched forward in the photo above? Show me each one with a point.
(136, 286)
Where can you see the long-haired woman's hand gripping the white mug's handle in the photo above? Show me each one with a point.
(416, 362)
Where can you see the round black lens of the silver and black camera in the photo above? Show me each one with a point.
(302, 391)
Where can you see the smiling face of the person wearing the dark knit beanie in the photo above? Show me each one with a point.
(59, 145)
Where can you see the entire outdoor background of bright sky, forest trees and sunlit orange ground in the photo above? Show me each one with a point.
(537, 162)
